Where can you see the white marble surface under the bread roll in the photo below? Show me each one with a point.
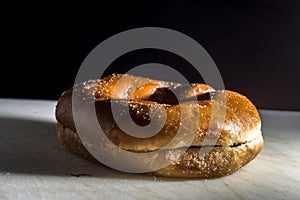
(33, 165)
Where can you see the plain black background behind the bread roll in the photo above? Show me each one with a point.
(255, 45)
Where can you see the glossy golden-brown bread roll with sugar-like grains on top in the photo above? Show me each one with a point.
(231, 143)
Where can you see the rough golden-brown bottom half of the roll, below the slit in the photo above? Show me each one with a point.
(220, 161)
